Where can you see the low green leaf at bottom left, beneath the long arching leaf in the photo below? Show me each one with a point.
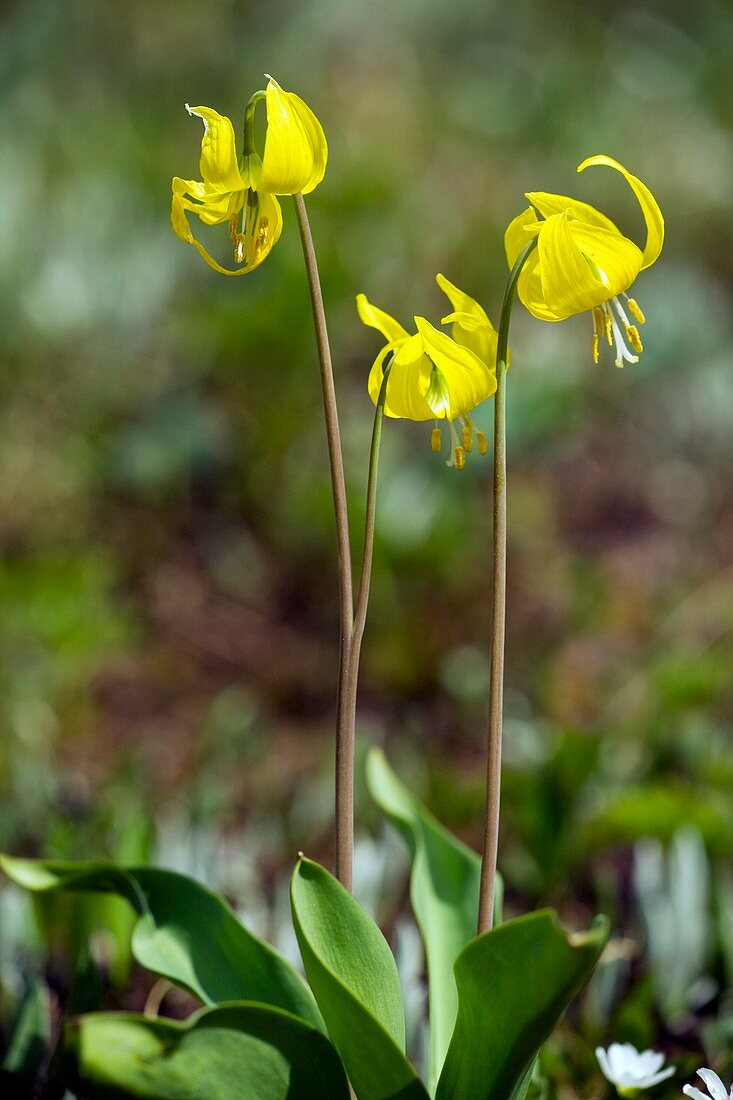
(233, 1052)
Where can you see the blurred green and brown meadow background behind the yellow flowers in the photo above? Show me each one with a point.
(168, 587)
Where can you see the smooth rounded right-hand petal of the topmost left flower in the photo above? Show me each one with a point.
(296, 152)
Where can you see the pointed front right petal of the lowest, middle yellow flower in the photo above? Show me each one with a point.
(468, 380)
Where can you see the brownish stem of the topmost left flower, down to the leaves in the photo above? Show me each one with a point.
(345, 725)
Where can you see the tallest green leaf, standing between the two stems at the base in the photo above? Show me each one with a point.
(444, 892)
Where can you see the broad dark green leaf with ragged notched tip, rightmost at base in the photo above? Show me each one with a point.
(515, 984)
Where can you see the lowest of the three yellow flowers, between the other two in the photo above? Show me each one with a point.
(433, 378)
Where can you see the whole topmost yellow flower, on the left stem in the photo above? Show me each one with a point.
(242, 191)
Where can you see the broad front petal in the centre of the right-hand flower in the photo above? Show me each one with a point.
(570, 287)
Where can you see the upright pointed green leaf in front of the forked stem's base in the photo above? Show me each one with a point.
(354, 975)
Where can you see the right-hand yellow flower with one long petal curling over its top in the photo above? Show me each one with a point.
(584, 262)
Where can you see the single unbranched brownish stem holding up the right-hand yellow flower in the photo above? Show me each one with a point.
(498, 611)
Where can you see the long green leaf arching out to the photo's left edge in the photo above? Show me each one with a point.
(184, 932)
